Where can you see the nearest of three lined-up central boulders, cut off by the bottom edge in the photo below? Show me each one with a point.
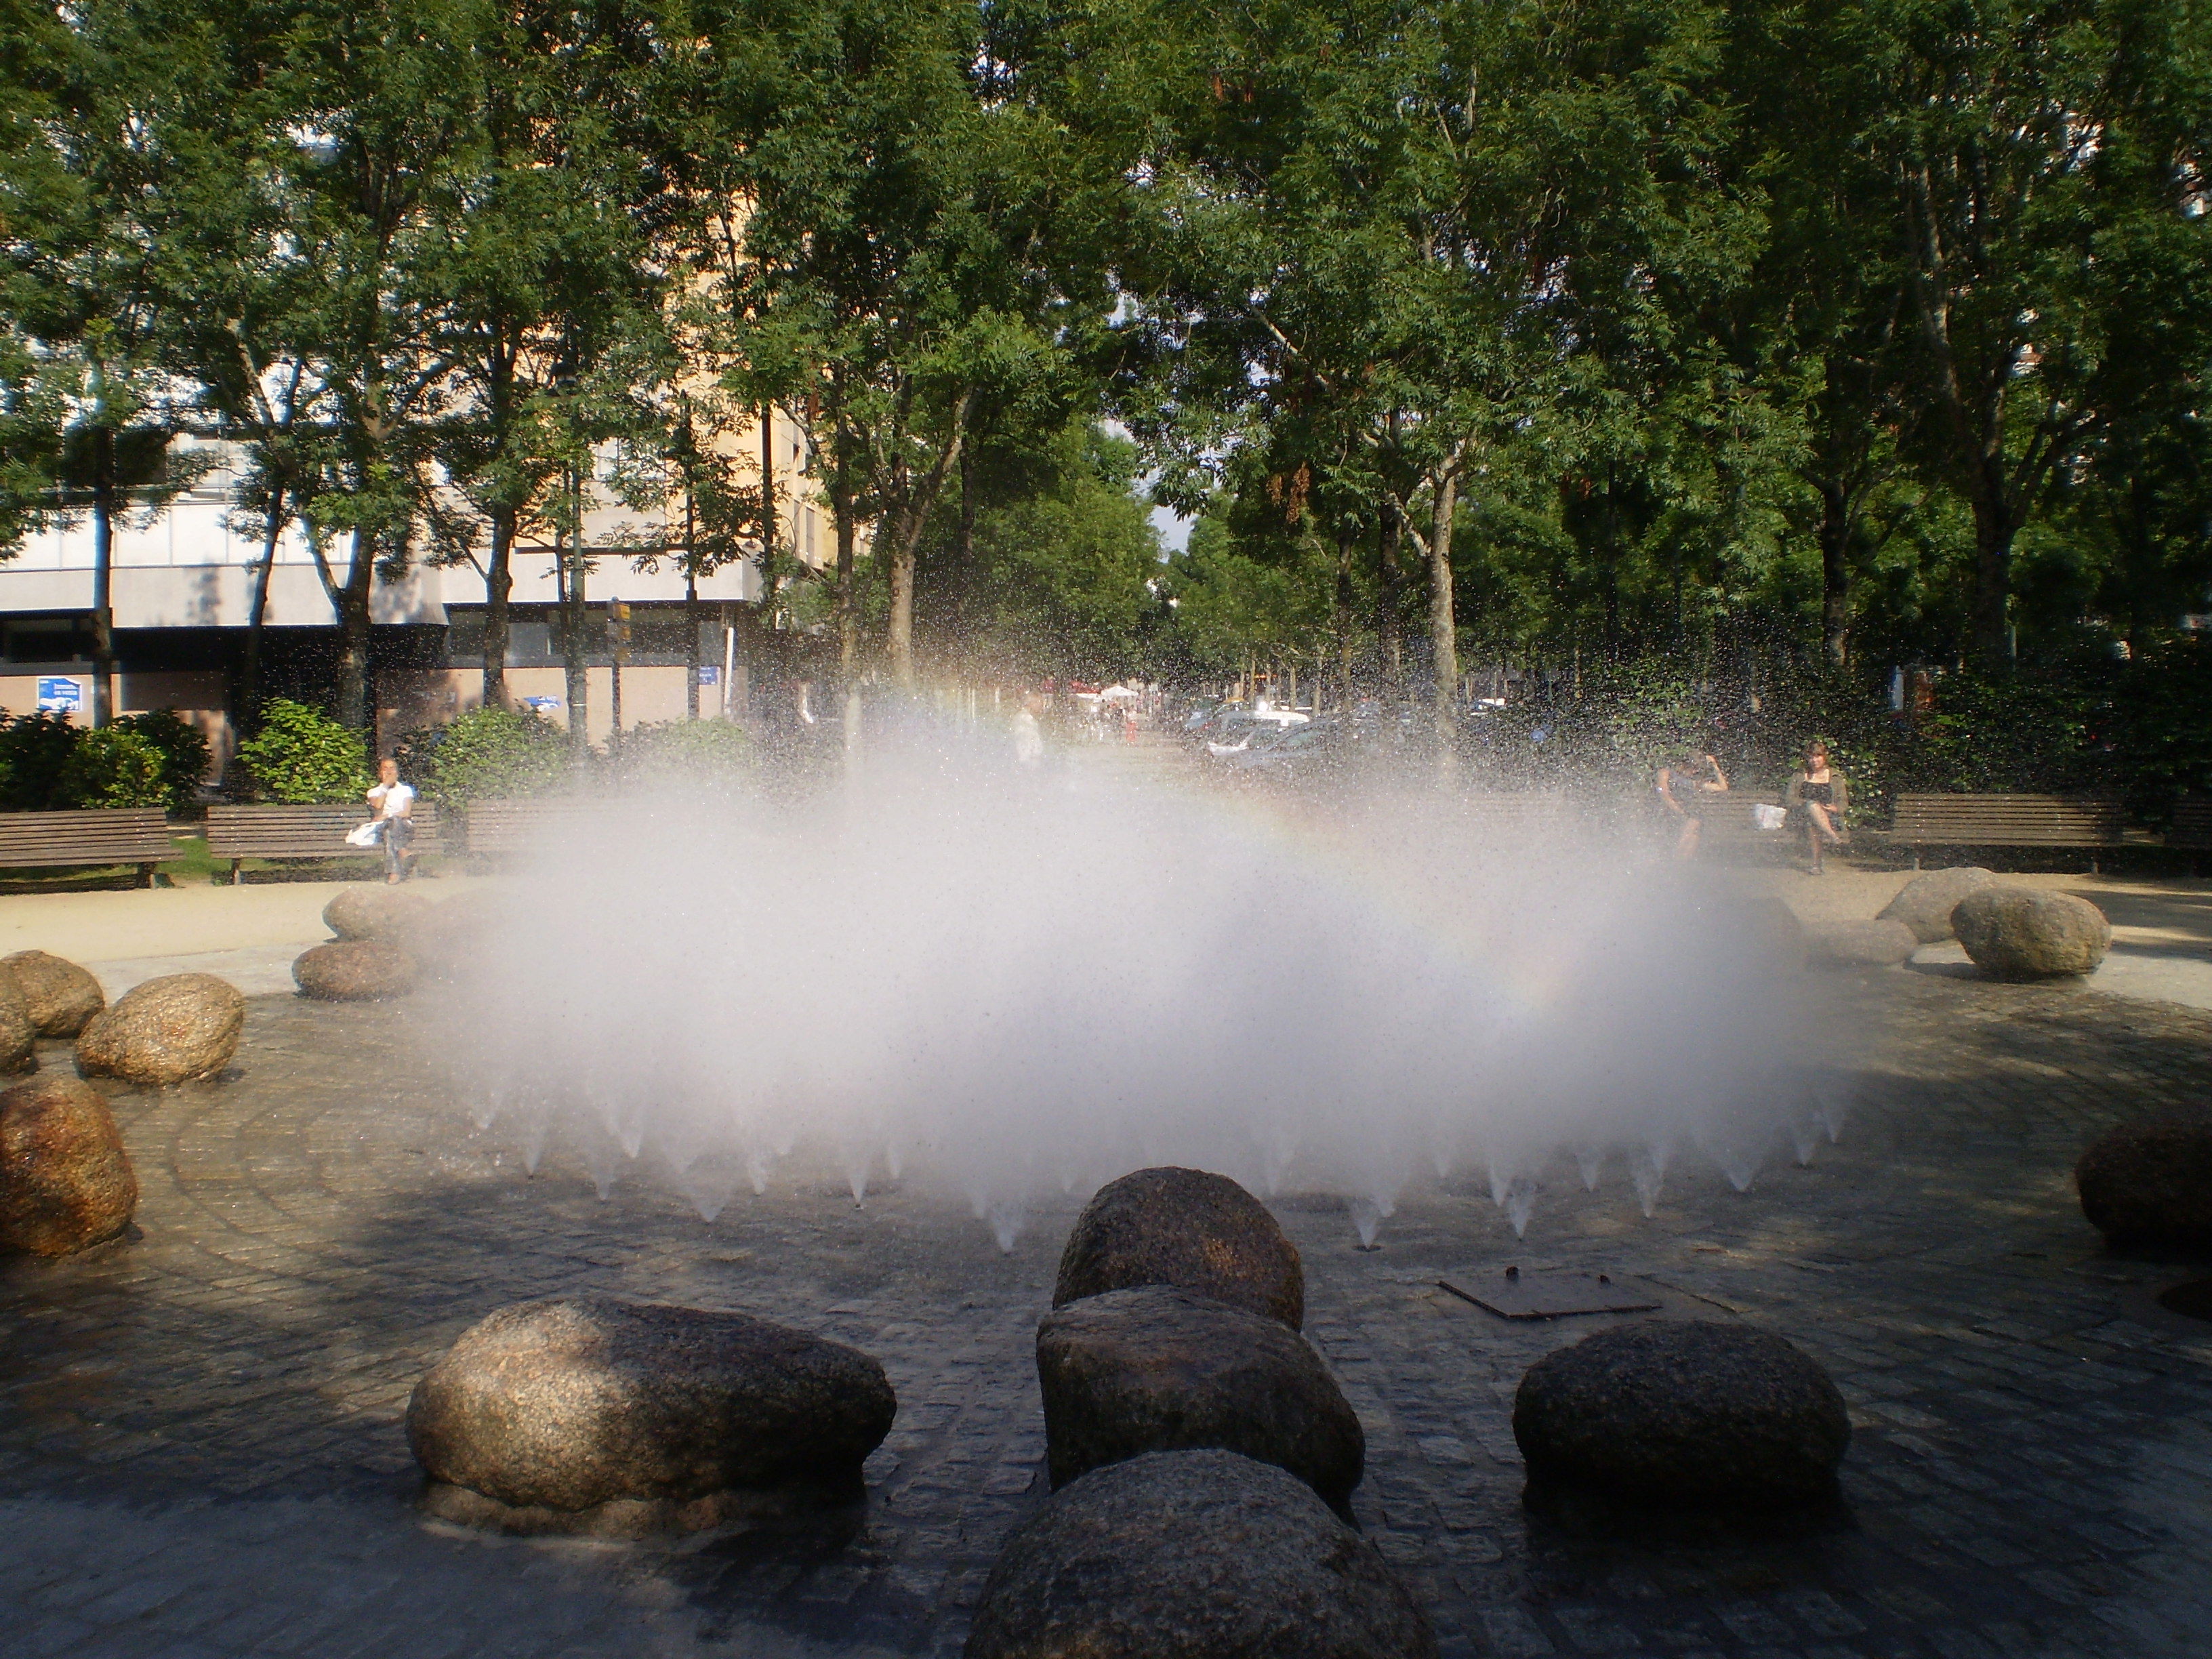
(1193, 1556)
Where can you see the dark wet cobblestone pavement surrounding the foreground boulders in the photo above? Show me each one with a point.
(202, 1454)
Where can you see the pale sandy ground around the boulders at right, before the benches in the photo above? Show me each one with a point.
(2162, 930)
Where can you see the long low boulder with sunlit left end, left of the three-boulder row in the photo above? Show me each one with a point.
(605, 1415)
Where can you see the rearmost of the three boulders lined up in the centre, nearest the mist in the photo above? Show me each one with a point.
(1185, 1229)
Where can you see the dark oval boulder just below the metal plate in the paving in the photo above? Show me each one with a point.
(1684, 1412)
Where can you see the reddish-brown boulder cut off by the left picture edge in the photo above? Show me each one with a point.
(65, 1182)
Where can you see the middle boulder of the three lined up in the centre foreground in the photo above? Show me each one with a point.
(1169, 1370)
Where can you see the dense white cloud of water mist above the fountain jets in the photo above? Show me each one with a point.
(1012, 985)
